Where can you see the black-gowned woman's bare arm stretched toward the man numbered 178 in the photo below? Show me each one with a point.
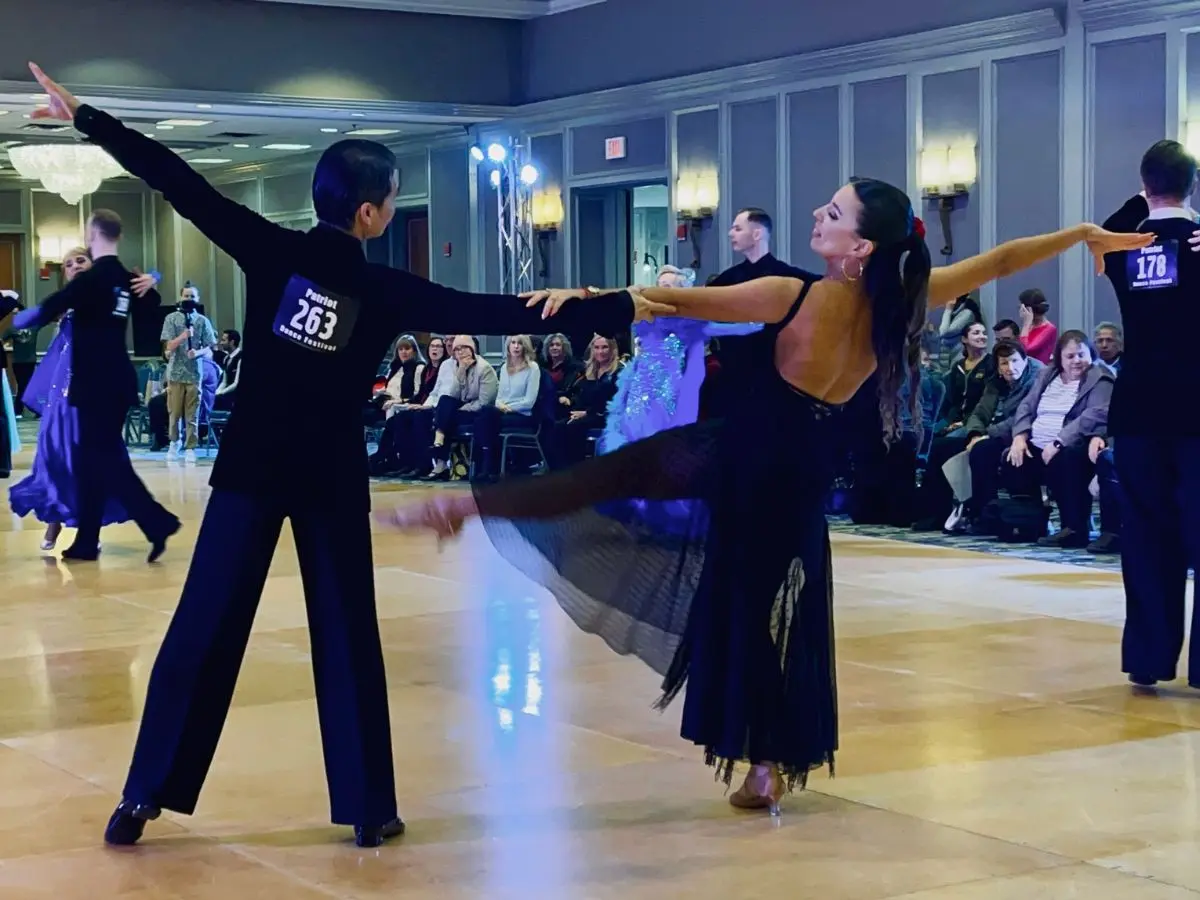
(1012, 257)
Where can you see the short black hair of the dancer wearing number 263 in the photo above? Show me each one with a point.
(349, 175)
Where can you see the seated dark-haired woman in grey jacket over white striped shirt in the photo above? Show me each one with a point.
(1067, 406)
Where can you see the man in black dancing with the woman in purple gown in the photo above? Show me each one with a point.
(103, 391)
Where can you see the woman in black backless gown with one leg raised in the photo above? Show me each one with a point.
(737, 601)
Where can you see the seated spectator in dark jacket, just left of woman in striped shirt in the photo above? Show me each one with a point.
(991, 421)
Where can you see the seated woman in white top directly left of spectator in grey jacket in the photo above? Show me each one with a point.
(404, 446)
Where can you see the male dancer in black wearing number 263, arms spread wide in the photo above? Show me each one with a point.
(314, 304)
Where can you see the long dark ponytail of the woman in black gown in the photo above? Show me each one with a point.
(897, 281)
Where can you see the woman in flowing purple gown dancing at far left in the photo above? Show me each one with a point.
(50, 489)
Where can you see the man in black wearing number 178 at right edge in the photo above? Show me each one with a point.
(1159, 453)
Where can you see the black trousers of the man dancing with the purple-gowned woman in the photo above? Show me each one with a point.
(107, 472)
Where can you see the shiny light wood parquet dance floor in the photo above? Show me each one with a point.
(991, 747)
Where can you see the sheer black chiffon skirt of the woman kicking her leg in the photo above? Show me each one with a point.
(705, 553)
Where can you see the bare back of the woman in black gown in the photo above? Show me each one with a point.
(826, 350)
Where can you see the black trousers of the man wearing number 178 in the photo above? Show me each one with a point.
(1161, 539)
